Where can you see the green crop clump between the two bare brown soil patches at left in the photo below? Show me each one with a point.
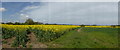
(21, 38)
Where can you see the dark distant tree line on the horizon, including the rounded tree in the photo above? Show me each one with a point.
(31, 22)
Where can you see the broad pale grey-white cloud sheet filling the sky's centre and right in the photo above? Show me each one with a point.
(76, 13)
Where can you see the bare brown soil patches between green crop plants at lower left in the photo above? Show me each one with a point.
(32, 43)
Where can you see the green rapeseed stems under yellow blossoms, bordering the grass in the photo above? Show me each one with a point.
(49, 35)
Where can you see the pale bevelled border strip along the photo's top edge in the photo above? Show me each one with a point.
(60, 0)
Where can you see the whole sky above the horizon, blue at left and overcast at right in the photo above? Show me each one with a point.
(101, 13)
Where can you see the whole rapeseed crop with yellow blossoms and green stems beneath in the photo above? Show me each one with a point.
(43, 32)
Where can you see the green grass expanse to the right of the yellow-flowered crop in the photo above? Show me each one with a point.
(87, 38)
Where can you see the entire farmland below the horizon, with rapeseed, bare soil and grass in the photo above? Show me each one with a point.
(71, 37)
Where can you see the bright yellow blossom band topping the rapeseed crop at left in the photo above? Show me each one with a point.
(55, 28)
